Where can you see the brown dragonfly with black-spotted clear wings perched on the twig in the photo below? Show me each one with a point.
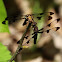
(30, 17)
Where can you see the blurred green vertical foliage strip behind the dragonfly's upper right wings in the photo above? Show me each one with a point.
(38, 9)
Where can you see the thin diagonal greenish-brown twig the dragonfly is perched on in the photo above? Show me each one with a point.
(20, 45)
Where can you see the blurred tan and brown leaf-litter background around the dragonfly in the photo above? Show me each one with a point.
(49, 46)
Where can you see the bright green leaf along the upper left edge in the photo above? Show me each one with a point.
(3, 15)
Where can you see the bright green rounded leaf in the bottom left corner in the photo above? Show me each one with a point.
(4, 53)
